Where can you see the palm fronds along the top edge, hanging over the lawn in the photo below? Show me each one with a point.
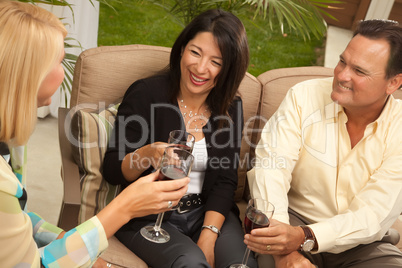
(302, 16)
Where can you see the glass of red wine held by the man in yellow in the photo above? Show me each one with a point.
(258, 214)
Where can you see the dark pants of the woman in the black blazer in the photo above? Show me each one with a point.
(182, 249)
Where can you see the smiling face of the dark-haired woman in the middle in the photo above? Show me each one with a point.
(200, 63)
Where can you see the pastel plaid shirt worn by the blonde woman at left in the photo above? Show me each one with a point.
(25, 238)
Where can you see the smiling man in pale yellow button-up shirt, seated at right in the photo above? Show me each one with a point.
(334, 150)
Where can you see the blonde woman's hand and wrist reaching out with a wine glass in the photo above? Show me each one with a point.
(141, 198)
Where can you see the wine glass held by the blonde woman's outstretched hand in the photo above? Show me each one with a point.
(175, 164)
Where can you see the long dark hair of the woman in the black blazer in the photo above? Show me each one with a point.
(231, 38)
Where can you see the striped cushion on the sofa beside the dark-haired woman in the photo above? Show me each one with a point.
(92, 131)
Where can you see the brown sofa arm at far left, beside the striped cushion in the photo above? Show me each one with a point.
(71, 202)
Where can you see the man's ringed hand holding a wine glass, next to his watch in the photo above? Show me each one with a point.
(277, 239)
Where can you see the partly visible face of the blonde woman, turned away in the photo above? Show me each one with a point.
(51, 83)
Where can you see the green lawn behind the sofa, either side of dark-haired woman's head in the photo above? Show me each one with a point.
(135, 22)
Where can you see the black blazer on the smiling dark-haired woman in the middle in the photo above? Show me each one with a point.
(146, 116)
